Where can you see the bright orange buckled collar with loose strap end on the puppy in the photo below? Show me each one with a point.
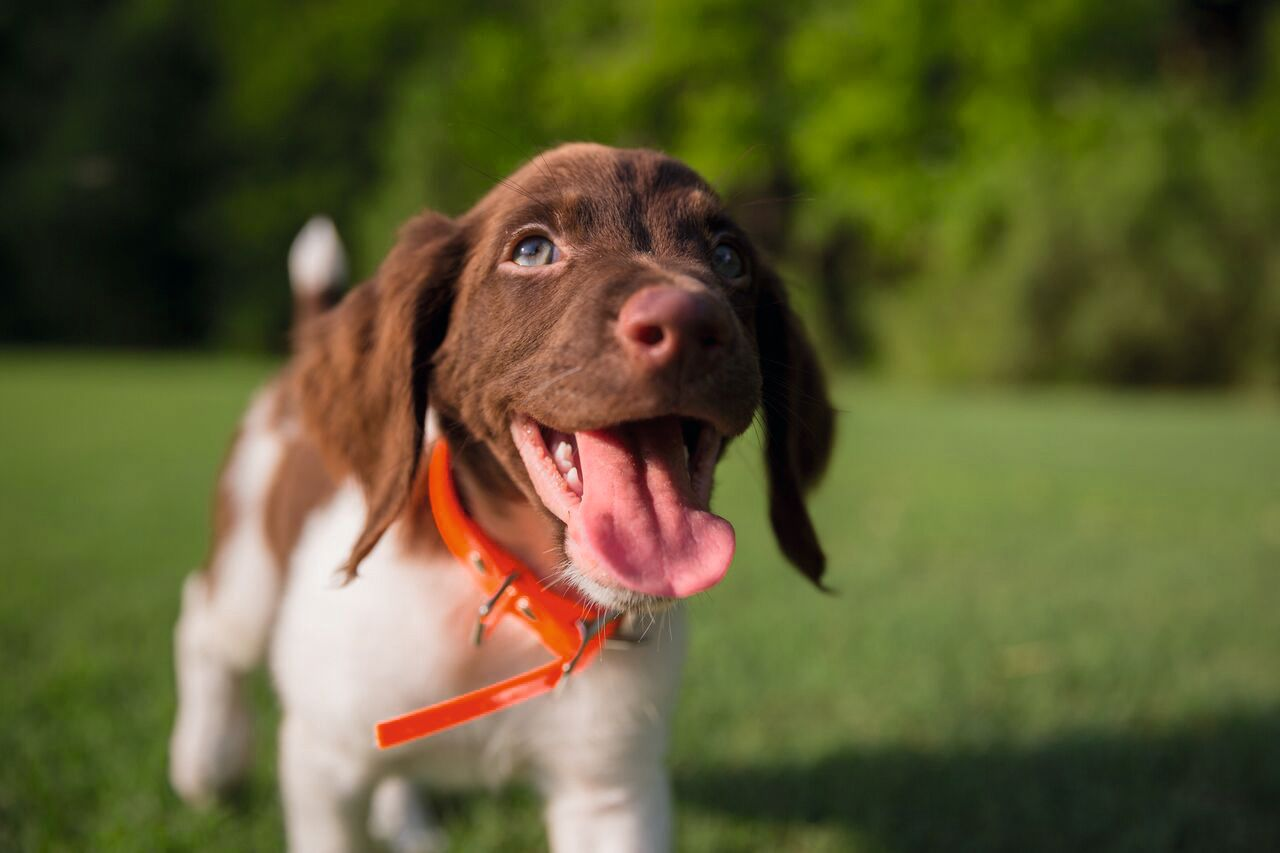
(572, 632)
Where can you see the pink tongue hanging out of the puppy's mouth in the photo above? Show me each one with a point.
(639, 523)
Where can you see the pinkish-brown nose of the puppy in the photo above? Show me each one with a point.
(662, 325)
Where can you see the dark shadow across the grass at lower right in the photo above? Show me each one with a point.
(1213, 786)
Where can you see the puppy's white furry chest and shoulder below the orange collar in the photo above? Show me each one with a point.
(400, 638)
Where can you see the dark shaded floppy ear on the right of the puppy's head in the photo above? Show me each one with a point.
(799, 423)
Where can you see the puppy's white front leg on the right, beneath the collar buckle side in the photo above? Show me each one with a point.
(627, 813)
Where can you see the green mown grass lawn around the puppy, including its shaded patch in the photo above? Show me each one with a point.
(1058, 628)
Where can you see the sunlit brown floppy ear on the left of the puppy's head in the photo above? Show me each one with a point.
(363, 371)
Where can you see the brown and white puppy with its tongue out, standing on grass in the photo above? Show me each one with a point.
(587, 339)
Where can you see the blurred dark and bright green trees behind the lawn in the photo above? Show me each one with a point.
(1064, 190)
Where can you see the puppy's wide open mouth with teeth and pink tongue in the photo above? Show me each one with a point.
(634, 499)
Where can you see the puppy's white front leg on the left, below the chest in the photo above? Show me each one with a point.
(327, 793)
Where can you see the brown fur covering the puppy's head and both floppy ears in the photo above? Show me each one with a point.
(446, 320)
